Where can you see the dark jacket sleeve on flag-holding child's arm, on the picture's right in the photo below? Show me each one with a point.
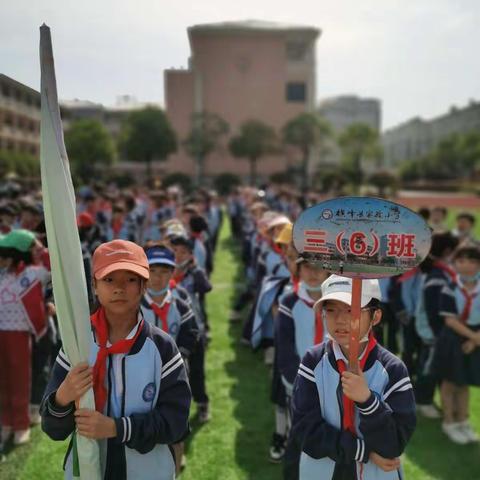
(167, 423)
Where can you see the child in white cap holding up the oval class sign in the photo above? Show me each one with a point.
(351, 426)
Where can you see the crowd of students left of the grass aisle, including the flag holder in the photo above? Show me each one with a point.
(147, 257)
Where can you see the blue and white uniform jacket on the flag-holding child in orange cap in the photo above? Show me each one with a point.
(149, 399)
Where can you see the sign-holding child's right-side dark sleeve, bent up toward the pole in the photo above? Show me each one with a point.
(388, 422)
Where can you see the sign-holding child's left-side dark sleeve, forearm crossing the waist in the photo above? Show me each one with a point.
(314, 434)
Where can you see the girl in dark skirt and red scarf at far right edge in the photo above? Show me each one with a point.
(457, 354)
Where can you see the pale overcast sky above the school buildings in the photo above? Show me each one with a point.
(419, 57)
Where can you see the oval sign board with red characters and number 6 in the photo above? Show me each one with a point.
(362, 237)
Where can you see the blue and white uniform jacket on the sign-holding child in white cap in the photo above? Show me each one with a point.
(384, 423)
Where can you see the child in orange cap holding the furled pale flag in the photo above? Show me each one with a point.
(142, 396)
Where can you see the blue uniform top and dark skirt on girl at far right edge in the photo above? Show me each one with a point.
(450, 363)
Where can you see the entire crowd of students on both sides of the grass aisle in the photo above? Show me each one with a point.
(148, 256)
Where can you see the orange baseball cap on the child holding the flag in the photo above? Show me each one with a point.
(119, 255)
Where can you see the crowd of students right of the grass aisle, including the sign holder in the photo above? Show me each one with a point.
(429, 317)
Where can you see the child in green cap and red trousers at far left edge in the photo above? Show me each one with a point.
(22, 314)
